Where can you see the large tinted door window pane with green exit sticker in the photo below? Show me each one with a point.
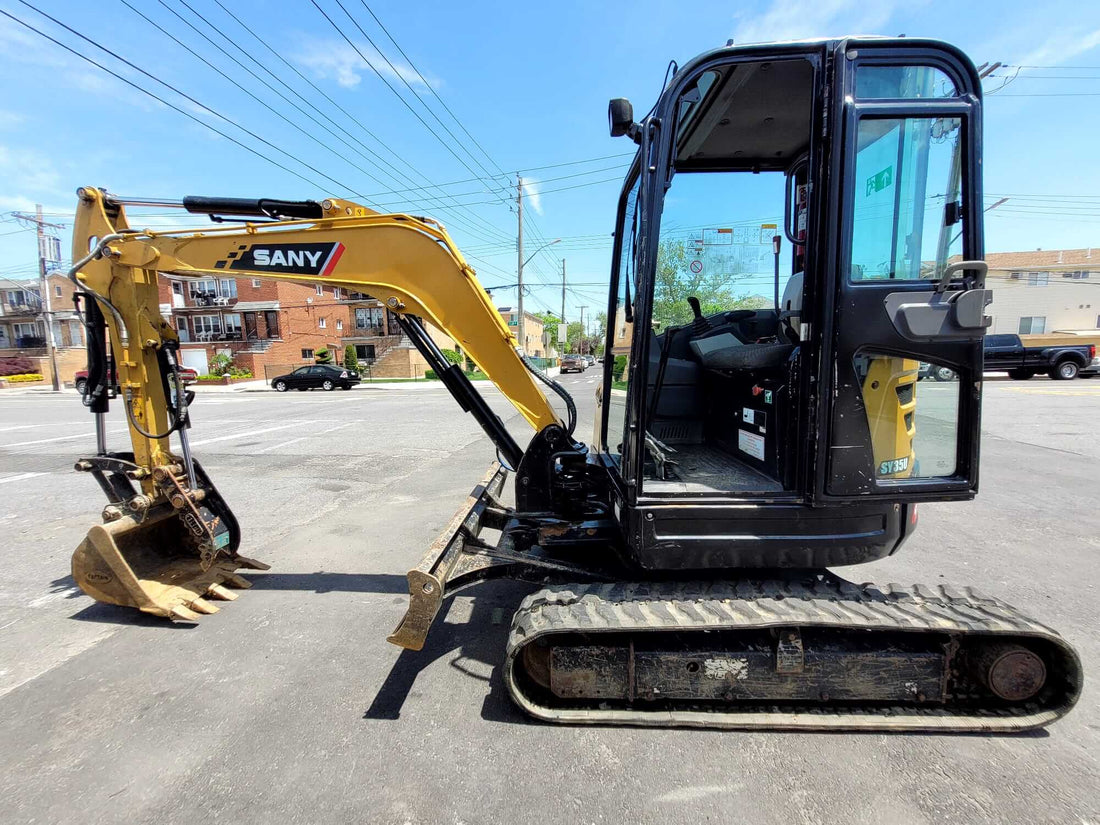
(906, 199)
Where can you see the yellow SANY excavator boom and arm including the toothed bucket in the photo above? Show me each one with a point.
(163, 549)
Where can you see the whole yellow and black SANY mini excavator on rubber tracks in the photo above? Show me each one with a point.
(744, 446)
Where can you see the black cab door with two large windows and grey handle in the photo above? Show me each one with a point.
(908, 281)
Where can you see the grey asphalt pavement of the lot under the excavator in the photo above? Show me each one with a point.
(290, 707)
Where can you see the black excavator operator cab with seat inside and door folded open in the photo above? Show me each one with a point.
(800, 229)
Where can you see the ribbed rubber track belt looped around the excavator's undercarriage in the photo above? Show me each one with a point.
(746, 606)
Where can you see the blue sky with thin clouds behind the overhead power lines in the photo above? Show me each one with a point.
(531, 82)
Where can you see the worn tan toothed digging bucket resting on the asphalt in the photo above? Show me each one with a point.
(149, 566)
